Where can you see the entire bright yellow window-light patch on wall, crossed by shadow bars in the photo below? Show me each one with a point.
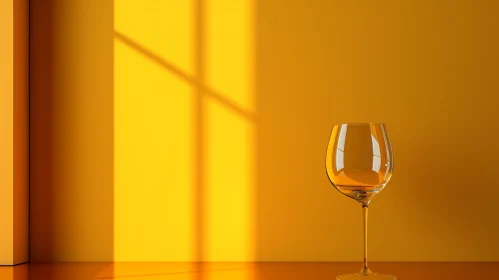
(156, 136)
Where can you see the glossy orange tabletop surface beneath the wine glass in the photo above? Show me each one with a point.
(243, 271)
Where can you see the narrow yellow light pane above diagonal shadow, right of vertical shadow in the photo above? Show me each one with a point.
(229, 49)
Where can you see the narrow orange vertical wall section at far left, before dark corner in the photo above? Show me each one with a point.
(14, 132)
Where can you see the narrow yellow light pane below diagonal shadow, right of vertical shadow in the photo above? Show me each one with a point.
(229, 188)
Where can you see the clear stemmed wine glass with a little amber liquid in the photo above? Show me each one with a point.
(359, 163)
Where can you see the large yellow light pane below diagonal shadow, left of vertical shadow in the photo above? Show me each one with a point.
(153, 161)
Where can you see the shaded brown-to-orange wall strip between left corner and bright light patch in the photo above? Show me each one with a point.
(71, 152)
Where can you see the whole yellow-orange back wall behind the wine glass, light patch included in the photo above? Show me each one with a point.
(197, 130)
